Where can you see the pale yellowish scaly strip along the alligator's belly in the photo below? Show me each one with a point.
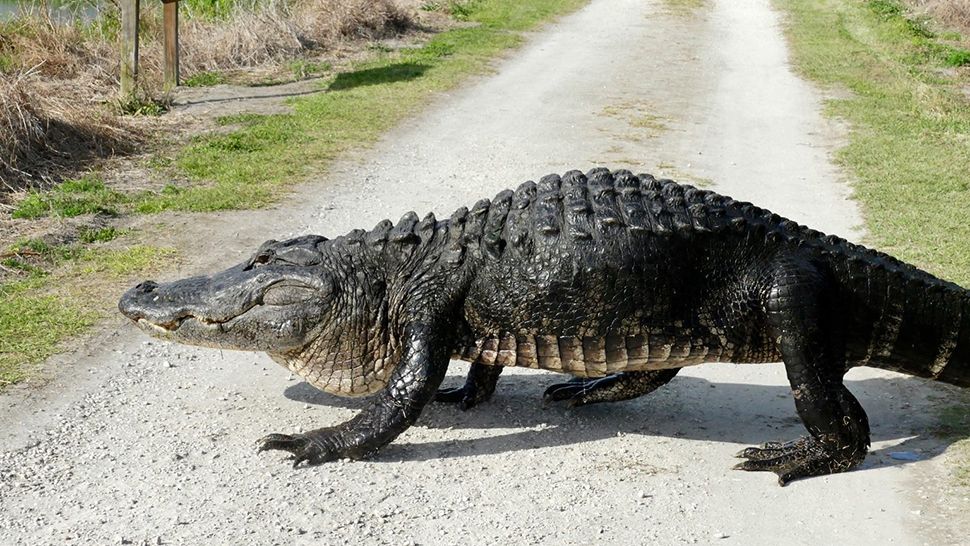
(595, 356)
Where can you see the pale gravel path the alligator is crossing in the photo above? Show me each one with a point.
(143, 441)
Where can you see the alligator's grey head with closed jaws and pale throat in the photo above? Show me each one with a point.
(302, 301)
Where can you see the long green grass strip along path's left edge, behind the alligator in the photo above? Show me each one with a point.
(255, 164)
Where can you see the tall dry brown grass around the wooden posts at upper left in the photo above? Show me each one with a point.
(58, 107)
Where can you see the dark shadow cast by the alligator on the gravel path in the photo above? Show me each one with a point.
(689, 407)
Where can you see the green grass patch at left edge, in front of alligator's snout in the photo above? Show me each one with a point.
(63, 298)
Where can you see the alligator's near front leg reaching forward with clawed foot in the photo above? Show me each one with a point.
(392, 411)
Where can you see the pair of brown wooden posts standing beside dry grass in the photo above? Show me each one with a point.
(129, 45)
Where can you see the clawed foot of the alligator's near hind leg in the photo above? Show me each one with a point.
(799, 458)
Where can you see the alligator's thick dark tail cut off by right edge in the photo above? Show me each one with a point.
(904, 319)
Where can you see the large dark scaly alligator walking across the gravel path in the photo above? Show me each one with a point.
(619, 280)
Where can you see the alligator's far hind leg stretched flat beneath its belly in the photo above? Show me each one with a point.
(581, 391)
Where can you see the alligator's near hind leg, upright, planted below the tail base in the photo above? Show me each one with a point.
(803, 314)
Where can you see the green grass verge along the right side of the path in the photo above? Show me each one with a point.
(908, 149)
